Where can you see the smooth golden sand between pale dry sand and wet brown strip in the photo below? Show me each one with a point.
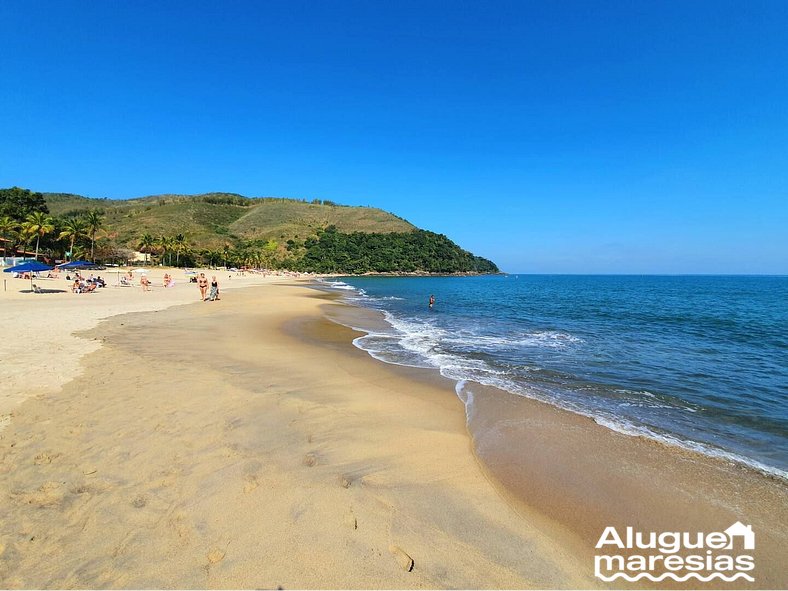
(246, 443)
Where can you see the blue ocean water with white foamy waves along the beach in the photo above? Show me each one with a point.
(696, 361)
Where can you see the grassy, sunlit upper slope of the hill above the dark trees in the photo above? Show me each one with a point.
(213, 219)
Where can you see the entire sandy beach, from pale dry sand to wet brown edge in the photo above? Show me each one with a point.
(246, 443)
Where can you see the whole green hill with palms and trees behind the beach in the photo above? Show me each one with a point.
(225, 229)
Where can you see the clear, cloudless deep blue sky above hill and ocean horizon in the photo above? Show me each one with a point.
(629, 137)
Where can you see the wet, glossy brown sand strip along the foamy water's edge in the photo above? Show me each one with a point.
(534, 452)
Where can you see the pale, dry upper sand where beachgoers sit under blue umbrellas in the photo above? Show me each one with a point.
(39, 352)
